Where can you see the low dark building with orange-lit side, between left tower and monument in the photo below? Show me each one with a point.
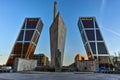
(42, 60)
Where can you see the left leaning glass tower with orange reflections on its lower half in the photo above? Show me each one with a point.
(27, 39)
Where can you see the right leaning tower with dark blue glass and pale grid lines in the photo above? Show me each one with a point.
(93, 41)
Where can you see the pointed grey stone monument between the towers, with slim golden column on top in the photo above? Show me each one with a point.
(57, 40)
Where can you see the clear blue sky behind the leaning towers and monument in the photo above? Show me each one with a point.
(13, 13)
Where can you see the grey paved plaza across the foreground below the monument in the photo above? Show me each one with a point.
(58, 76)
